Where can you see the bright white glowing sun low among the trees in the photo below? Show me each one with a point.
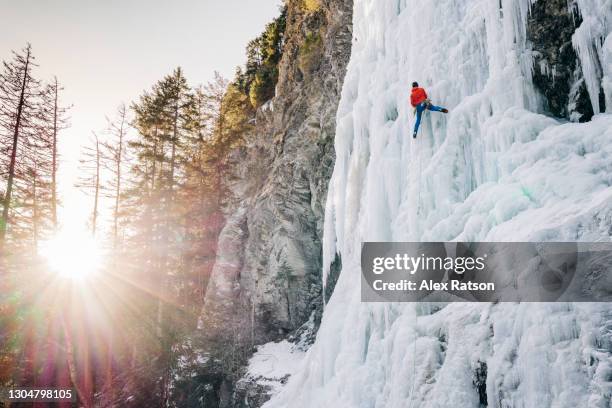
(72, 254)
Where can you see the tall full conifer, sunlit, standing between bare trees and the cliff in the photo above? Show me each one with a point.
(172, 123)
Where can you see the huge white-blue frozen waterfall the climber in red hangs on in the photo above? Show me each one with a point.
(496, 168)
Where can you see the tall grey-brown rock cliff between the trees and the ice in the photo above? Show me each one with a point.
(266, 282)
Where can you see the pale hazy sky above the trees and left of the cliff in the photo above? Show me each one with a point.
(106, 52)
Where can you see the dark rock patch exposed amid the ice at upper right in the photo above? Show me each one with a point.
(557, 72)
